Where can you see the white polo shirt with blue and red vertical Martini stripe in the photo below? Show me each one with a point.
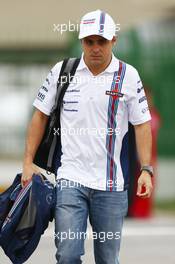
(94, 122)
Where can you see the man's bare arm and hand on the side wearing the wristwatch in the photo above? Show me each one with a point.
(144, 149)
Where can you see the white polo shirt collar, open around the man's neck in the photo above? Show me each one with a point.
(112, 67)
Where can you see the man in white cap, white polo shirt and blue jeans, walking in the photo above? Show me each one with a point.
(93, 177)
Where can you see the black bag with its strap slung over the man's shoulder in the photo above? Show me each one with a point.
(49, 149)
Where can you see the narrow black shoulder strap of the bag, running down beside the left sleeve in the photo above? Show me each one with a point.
(68, 70)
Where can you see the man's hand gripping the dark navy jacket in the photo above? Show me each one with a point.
(28, 171)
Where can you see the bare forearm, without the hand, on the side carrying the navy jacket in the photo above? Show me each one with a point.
(34, 136)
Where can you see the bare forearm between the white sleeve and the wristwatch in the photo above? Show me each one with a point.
(144, 143)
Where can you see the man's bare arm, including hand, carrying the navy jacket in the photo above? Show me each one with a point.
(34, 136)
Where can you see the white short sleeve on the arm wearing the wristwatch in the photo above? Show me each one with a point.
(137, 104)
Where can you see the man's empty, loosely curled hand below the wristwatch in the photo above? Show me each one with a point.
(145, 182)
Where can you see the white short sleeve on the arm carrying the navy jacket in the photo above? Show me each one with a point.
(46, 95)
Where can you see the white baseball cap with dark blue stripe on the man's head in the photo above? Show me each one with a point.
(97, 23)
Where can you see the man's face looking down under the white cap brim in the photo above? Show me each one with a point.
(97, 50)
